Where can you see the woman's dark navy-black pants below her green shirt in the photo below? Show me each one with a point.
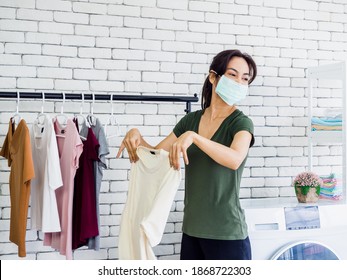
(195, 248)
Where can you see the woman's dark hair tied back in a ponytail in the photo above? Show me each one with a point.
(219, 64)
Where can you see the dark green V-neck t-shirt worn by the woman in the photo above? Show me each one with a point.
(211, 205)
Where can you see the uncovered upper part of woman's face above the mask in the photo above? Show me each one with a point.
(238, 70)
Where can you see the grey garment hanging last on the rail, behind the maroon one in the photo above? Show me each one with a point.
(99, 166)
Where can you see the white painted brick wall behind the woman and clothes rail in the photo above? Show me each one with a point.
(165, 47)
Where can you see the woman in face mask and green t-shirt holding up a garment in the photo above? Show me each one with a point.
(214, 143)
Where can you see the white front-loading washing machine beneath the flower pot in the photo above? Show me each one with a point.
(283, 229)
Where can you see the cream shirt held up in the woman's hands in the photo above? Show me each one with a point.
(152, 188)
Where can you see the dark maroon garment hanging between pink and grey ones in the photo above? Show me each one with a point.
(84, 222)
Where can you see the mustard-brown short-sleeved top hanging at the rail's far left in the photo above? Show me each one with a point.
(17, 150)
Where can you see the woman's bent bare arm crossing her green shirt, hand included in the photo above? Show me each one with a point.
(230, 157)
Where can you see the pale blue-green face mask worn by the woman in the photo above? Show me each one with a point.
(230, 91)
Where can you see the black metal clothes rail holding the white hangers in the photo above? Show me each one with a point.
(79, 96)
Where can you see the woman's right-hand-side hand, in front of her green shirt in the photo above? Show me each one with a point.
(179, 147)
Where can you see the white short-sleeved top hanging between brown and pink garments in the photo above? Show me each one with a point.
(44, 209)
